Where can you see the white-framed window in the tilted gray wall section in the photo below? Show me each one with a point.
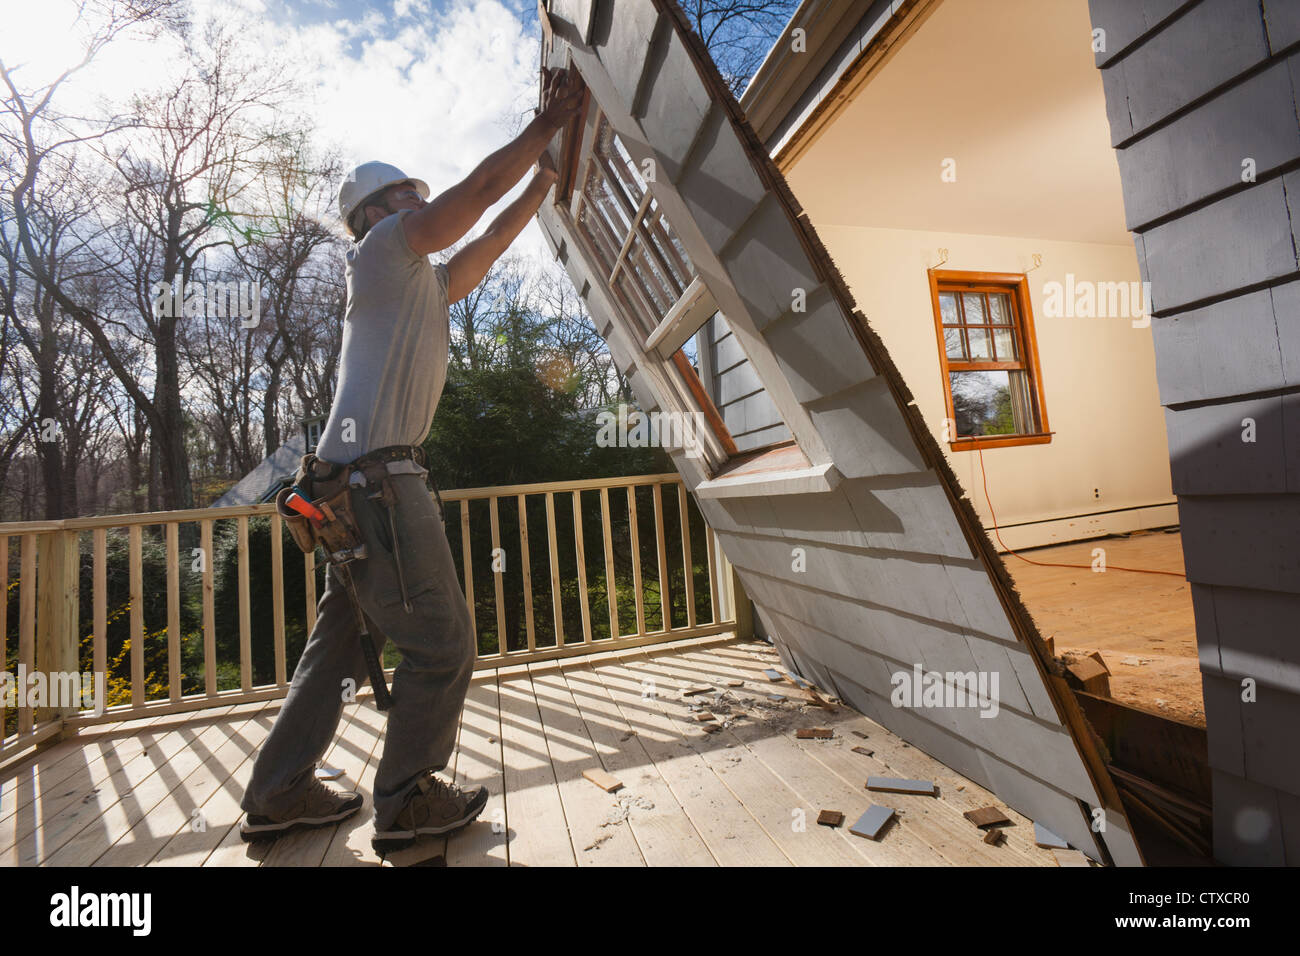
(652, 278)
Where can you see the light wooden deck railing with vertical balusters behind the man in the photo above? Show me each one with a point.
(145, 669)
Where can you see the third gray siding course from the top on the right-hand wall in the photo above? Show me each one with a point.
(1253, 120)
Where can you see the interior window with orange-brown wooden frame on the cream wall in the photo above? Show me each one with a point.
(993, 383)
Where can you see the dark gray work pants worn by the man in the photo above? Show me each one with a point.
(439, 654)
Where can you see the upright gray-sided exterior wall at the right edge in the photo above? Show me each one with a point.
(1202, 100)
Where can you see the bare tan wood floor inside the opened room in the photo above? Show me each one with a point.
(1142, 624)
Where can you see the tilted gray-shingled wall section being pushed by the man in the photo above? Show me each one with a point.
(881, 569)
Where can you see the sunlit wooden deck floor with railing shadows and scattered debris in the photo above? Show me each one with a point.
(166, 791)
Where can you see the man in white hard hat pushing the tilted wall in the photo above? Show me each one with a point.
(392, 373)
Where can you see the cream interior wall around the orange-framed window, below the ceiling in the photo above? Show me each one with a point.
(1107, 468)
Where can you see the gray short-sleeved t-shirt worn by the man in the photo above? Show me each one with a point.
(395, 360)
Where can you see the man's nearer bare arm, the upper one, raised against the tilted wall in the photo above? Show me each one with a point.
(452, 214)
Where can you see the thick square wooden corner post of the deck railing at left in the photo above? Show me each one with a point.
(58, 605)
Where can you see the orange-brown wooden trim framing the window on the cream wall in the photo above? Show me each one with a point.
(1017, 284)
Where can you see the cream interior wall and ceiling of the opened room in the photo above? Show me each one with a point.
(1033, 172)
